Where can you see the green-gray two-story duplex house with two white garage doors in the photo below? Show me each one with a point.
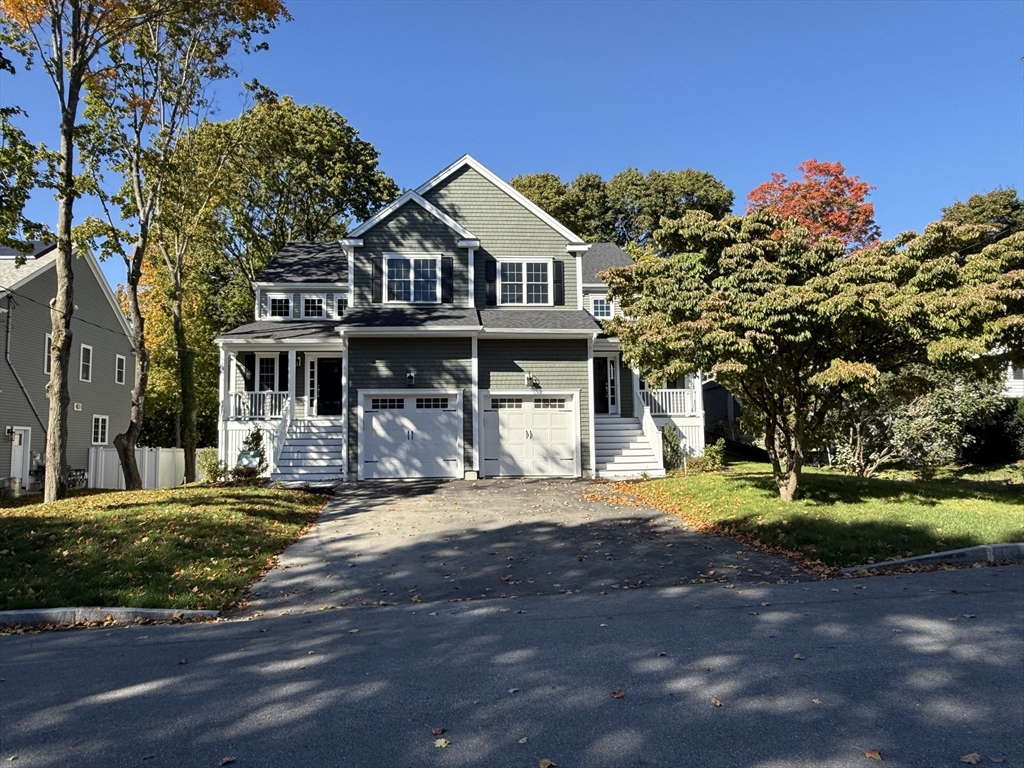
(448, 336)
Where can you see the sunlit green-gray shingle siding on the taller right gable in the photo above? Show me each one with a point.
(504, 227)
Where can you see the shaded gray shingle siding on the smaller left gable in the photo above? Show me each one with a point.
(411, 230)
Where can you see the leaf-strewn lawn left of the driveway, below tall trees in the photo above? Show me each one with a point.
(192, 547)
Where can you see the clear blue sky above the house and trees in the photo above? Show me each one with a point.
(925, 101)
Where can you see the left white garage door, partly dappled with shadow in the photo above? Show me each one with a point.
(411, 436)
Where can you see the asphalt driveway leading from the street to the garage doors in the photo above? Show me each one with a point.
(380, 544)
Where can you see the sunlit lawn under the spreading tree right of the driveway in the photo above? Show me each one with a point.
(841, 521)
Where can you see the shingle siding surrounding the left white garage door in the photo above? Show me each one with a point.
(383, 364)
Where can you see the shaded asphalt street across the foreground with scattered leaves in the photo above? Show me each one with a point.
(925, 668)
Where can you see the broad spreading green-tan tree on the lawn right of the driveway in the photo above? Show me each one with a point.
(795, 327)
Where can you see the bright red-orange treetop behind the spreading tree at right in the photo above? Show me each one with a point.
(827, 203)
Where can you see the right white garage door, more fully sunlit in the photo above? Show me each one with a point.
(530, 436)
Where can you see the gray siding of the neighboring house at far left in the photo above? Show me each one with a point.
(95, 324)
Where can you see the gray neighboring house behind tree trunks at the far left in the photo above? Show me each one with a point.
(101, 372)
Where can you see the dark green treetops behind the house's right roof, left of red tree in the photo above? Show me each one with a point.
(628, 208)
